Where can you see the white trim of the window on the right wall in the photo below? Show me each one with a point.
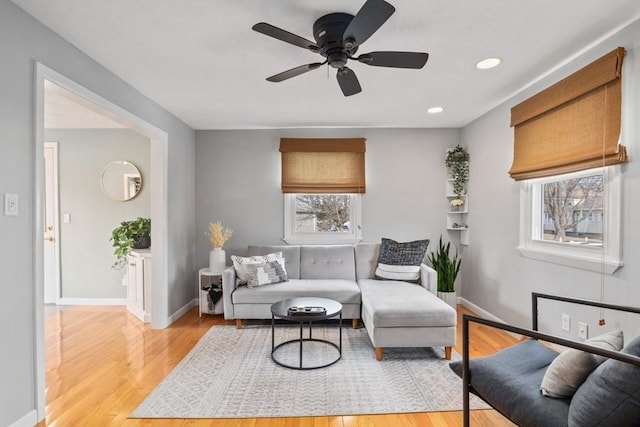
(606, 259)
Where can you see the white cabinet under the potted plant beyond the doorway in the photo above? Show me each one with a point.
(139, 284)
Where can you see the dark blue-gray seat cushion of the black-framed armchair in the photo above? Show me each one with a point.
(510, 382)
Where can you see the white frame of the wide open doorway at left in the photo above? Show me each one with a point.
(159, 211)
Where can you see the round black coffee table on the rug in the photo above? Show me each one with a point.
(305, 310)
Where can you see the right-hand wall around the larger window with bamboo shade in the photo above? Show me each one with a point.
(496, 277)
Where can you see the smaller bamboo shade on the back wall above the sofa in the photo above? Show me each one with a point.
(322, 165)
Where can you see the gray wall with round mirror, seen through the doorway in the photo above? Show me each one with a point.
(86, 254)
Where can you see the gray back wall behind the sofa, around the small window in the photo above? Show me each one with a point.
(238, 183)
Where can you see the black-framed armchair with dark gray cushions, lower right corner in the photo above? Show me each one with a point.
(510, 380)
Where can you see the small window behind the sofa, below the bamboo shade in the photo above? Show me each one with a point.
(322, 218)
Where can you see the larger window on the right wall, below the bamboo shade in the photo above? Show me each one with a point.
(573, 219)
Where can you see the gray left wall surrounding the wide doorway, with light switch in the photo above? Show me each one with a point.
(23, 40)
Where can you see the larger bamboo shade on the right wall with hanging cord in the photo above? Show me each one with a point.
(572, 125)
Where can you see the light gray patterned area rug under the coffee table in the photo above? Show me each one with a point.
(229, 374)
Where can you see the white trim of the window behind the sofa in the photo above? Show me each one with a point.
(293, 238)
